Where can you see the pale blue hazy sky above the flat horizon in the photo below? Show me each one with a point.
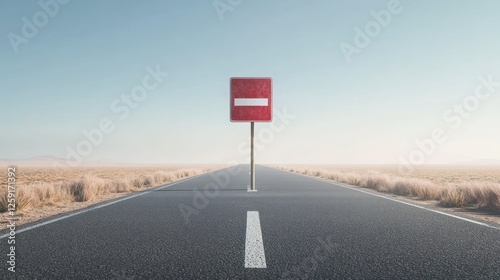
(371, 110)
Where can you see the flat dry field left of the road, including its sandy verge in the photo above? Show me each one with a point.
(45, 191)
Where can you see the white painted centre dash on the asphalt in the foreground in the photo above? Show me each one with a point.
(254, 246)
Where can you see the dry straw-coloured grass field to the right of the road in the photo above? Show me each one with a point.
(476, 191)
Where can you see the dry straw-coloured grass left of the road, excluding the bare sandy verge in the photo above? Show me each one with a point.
(37, 187)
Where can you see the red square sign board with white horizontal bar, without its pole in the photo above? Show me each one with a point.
(251, 99)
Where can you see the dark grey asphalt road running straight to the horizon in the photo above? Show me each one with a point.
(309, 229)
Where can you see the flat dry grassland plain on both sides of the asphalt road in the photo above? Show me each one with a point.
(45, 191)
